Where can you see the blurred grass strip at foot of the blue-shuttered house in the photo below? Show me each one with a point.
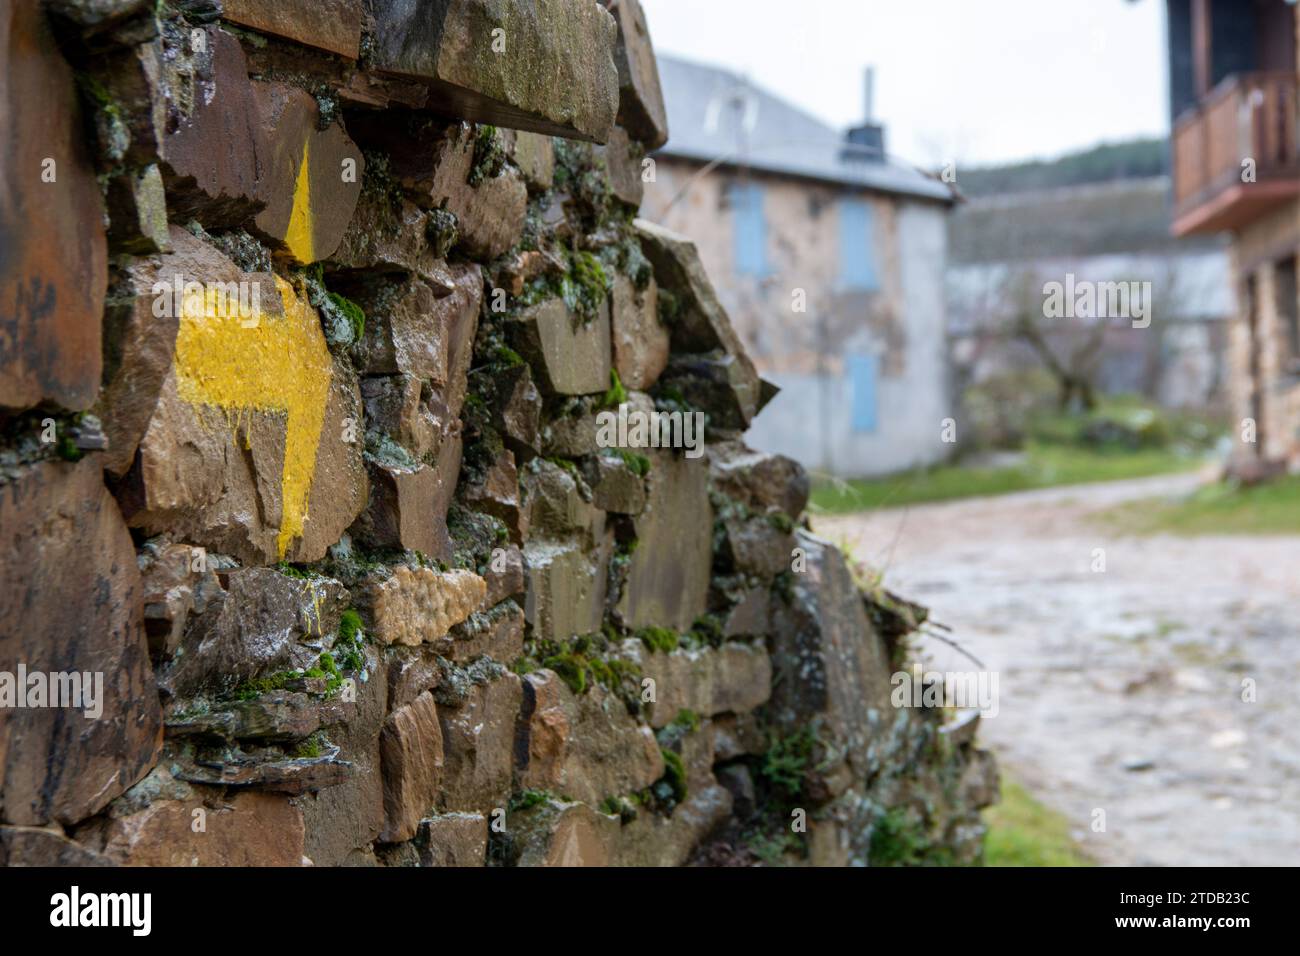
(1047, 465)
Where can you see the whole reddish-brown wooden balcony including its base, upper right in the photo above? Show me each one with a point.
(1247, 116)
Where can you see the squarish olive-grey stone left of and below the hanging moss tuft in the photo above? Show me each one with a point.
(571, 356)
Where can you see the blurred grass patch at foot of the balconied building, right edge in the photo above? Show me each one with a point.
(1219, 509)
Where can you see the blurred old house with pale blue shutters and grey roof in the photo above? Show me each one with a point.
(830, 259)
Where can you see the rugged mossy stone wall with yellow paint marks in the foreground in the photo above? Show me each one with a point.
(309, 310)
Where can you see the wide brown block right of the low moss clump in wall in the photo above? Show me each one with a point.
(735, 678)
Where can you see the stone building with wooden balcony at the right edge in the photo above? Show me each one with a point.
(1237, 168)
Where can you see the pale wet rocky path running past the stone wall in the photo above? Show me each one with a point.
(1120, 690)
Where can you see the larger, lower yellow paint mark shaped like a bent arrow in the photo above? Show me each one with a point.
(278, 364)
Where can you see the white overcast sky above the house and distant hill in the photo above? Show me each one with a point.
(976, 81)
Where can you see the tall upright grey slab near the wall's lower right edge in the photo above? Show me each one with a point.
(827, 663)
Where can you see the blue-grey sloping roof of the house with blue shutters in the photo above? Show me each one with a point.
(717, 115)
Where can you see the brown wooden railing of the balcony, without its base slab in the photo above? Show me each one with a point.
(1249, 116)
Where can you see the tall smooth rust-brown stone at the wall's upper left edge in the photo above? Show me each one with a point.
(54, 267)
